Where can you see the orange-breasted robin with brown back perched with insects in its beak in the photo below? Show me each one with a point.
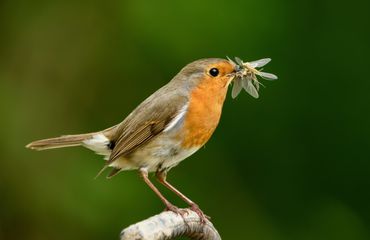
(167, 127)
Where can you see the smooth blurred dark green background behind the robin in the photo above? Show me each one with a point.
(293, 164)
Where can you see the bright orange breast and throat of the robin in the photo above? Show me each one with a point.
(203, 113)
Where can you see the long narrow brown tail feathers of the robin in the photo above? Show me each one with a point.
(60, 142)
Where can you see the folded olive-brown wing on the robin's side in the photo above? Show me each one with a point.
(148, 120)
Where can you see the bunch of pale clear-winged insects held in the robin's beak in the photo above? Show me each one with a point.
(247, 77)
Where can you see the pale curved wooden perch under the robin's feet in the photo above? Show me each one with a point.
(169, 225)
